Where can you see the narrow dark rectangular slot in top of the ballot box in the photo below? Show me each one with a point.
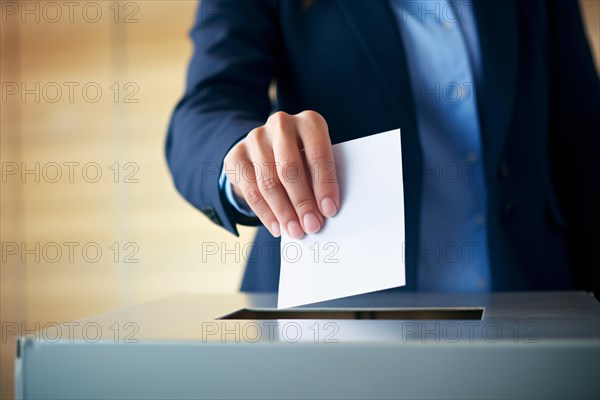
(368, 314)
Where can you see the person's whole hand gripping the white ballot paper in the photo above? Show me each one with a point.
(286, 173)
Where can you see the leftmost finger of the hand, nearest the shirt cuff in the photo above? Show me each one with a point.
(248, 186)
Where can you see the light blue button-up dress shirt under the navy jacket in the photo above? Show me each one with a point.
(441, 43)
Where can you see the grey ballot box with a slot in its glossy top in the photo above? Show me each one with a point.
(381, 345)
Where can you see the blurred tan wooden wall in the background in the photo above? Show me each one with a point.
(142, 46)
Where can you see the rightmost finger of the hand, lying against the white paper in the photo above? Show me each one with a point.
(314, 134)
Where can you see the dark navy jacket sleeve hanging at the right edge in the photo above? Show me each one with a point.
(575, 137)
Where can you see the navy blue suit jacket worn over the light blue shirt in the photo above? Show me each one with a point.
(539, 100)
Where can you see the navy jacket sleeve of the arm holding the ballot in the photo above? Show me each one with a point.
(236, 56)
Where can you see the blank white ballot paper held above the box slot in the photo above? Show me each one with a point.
(360, 250)
